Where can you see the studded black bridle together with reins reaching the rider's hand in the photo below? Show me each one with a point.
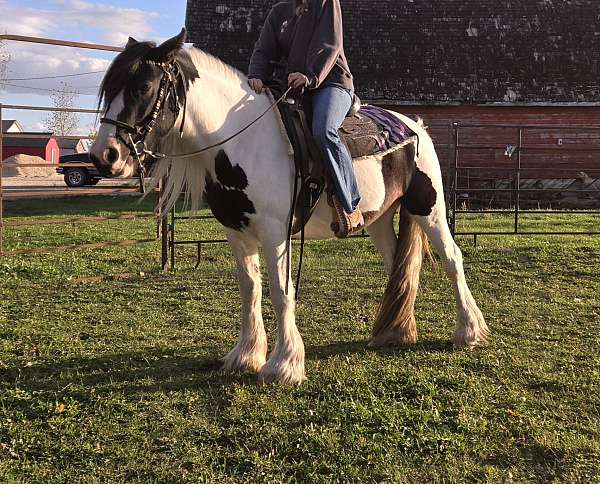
(136, 135)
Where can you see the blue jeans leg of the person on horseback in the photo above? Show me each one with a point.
(330, 105)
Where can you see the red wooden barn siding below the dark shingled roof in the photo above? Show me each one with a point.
(558, 160)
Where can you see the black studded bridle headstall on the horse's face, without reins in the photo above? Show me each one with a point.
(134, 136)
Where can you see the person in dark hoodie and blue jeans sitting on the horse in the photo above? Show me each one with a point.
(309, 35)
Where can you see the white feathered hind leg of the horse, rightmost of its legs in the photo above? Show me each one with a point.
(471, 328)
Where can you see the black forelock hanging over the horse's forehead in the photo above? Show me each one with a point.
(122, 67)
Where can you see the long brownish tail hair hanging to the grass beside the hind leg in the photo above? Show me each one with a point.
(395, 323)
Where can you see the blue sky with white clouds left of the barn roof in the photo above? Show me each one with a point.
(107, 22)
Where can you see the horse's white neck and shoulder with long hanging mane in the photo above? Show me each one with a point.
(218, 107)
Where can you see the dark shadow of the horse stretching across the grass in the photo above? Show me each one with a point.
(155, 371)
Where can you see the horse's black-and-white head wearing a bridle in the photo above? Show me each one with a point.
(142, 95)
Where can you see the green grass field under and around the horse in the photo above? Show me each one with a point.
(119, 380)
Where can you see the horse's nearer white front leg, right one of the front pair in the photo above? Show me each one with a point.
(286, 362)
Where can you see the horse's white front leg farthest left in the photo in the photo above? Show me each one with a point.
(250, 352)
